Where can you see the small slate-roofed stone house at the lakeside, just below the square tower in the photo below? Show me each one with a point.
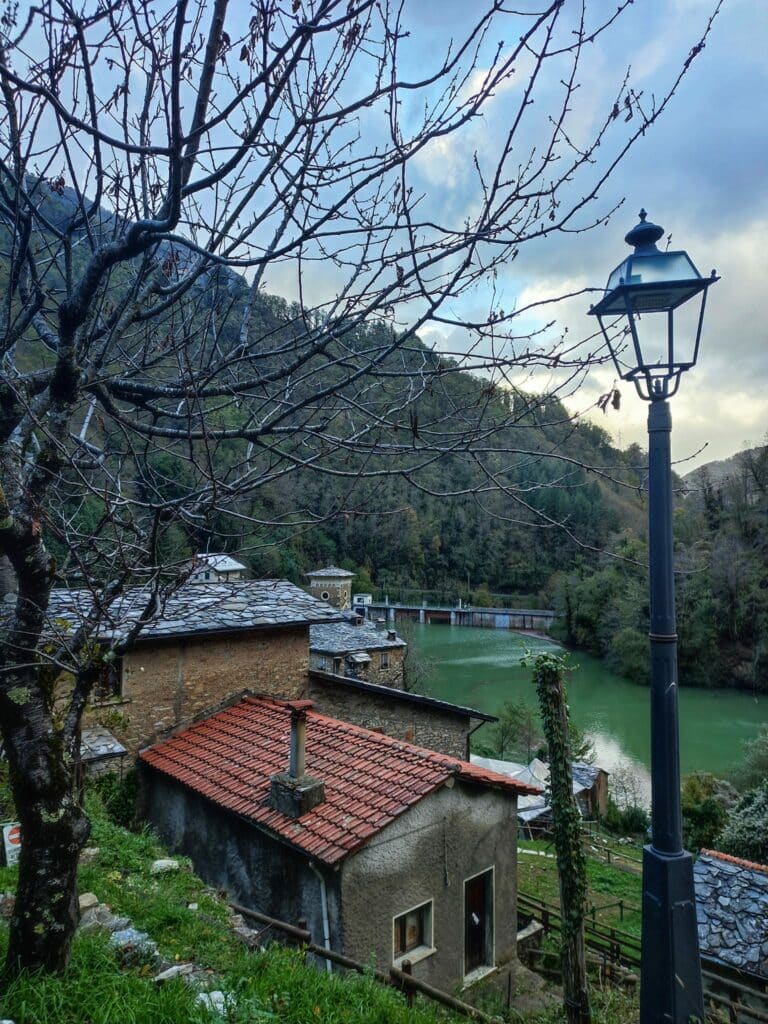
(358, 650)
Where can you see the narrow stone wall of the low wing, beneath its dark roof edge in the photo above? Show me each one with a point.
(428, 728)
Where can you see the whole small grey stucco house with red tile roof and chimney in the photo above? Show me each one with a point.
(388, 850)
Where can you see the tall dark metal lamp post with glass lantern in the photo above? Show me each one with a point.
(638, 311)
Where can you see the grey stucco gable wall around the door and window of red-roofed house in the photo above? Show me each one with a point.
(429, 854)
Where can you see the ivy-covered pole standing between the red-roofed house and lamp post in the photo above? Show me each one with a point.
(549, 676)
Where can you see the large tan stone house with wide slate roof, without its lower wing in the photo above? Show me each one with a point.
(211, 642)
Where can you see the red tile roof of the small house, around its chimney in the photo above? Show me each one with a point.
(370, 779)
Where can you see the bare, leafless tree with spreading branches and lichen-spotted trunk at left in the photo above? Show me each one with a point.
(151, 153)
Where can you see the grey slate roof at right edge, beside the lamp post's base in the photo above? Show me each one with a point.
(733, 911)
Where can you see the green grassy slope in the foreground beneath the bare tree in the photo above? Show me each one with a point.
(271, 987)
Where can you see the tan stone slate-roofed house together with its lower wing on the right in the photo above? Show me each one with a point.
(217, 641)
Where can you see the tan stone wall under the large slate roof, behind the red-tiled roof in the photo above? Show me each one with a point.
(168, 684)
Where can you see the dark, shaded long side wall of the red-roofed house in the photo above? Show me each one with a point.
(231, 855)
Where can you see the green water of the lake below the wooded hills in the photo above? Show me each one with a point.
(482, 668)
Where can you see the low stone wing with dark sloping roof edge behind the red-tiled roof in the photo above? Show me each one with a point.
(414, 717)
